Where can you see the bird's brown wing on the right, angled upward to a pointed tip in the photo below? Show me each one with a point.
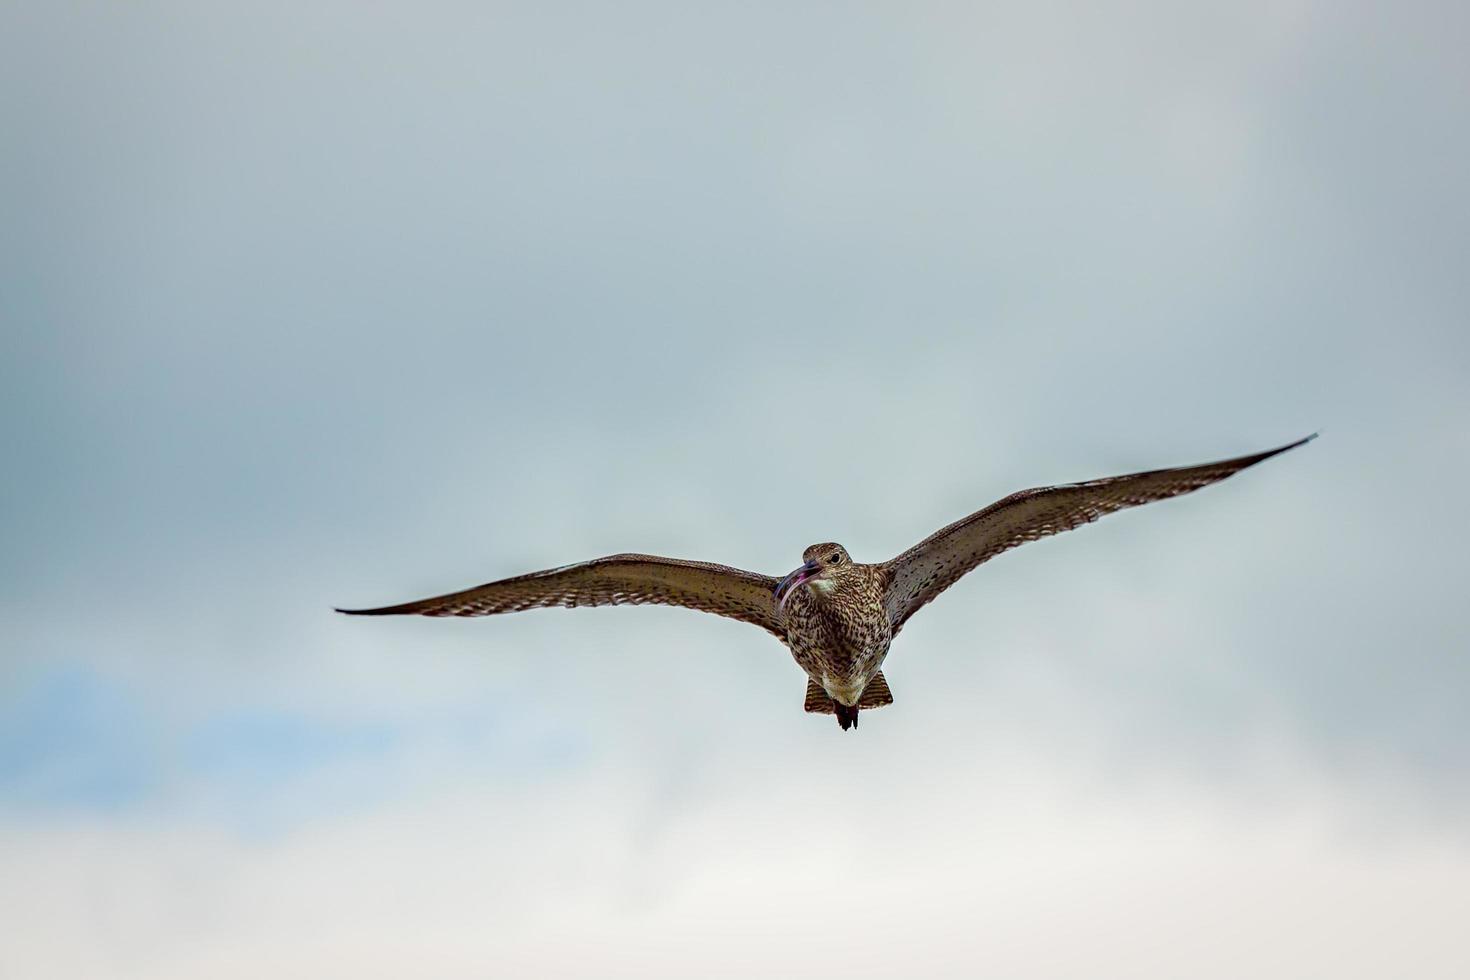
(936, 563)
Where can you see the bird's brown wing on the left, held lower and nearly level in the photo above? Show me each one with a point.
(614, 581)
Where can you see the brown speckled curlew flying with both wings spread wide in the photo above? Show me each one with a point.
(836, 616)
